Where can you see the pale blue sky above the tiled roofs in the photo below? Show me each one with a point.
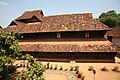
(11, 9)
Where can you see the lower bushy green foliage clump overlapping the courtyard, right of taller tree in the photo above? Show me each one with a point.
(34, 71)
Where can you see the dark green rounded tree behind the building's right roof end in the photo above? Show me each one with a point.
(110, 18)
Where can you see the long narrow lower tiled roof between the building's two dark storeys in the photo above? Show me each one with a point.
(70, 46)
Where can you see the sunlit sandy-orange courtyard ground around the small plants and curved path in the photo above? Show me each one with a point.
(100, 75)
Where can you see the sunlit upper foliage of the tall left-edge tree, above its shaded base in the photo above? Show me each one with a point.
(8, 47)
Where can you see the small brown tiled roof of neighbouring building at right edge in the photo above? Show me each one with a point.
(115, 32)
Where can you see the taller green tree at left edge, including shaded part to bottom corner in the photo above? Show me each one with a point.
(8, 51)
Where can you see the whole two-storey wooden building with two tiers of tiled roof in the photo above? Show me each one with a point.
(65, 37)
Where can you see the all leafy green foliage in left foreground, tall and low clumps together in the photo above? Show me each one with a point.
(8, 54)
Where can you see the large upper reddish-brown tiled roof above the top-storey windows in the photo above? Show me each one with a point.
(60, 23)
